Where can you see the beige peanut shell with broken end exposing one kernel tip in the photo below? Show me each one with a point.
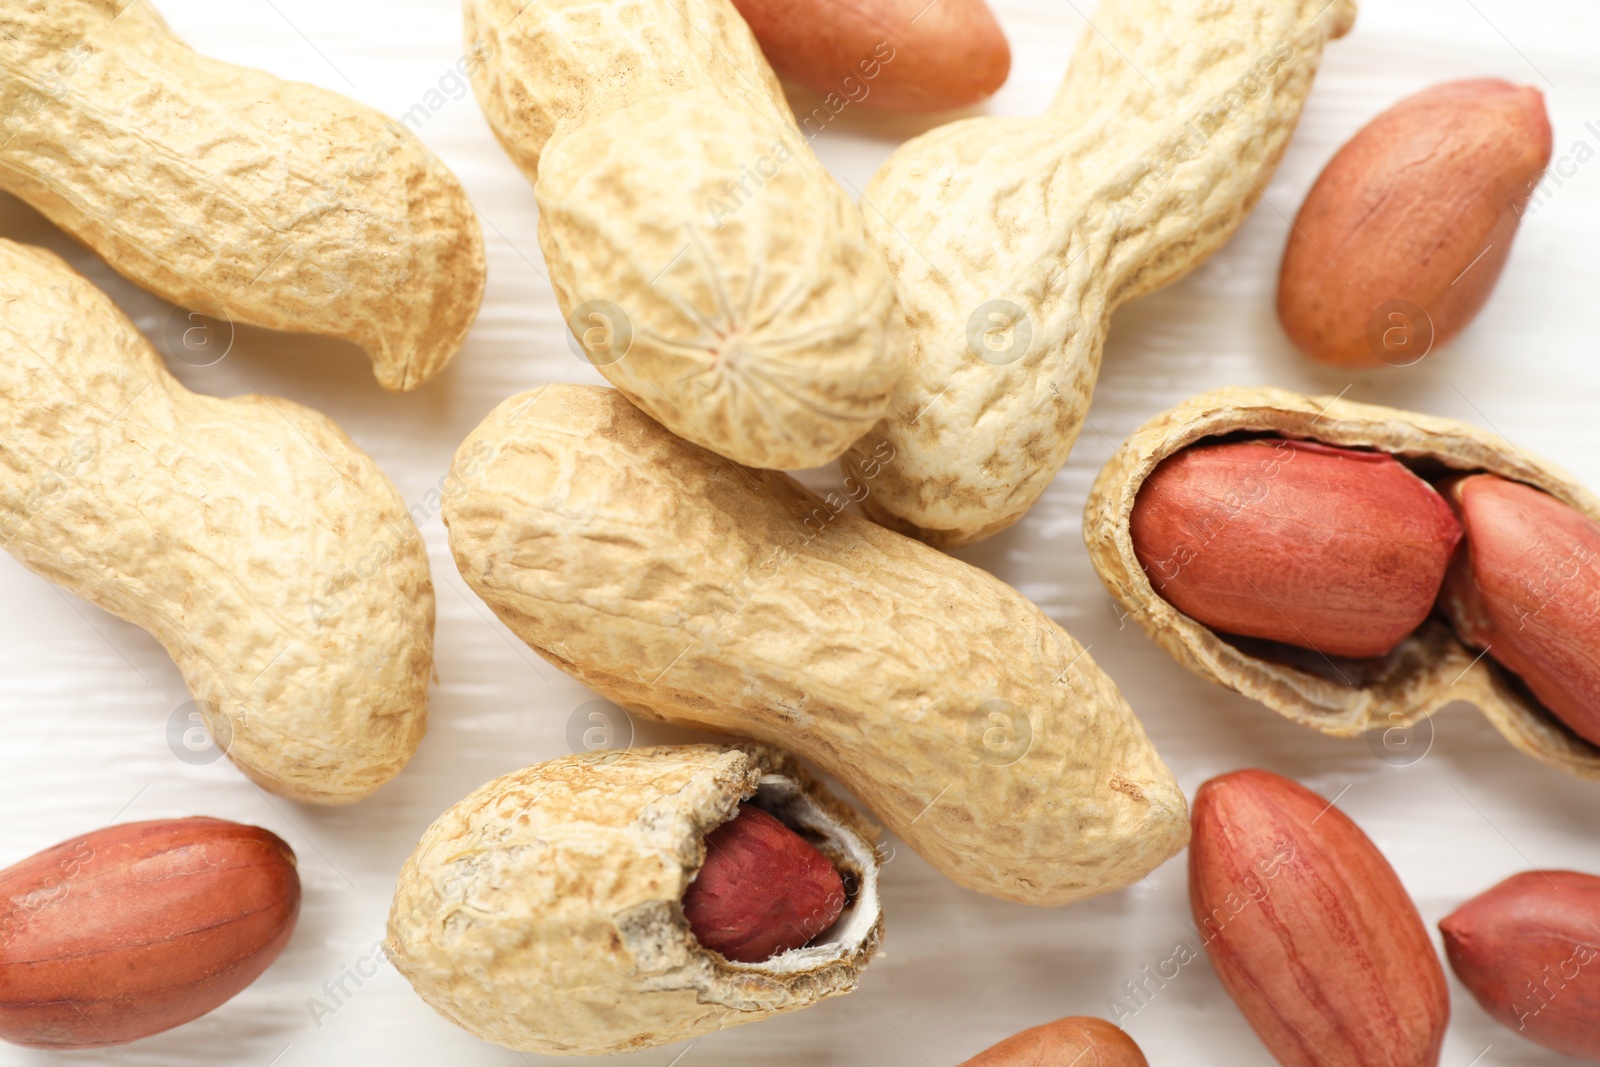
(543, 913)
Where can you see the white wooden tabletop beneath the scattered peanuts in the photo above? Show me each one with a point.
(90, 703)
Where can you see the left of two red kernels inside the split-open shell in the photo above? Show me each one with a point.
(1330, 549)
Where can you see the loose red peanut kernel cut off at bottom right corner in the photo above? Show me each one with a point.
(1529, 954)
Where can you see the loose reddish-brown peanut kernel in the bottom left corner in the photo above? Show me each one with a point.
(137, 929)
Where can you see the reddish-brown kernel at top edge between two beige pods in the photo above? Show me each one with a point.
(900, 55)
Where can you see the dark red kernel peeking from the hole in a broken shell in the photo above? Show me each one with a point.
(762, 890)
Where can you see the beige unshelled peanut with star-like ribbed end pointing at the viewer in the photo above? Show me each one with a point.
(703, 257)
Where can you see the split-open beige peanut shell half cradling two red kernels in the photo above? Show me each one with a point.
(1338, 697)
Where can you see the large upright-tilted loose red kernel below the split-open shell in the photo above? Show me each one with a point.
(1310, 929)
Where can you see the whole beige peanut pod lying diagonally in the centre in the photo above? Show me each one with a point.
(684, 586)
